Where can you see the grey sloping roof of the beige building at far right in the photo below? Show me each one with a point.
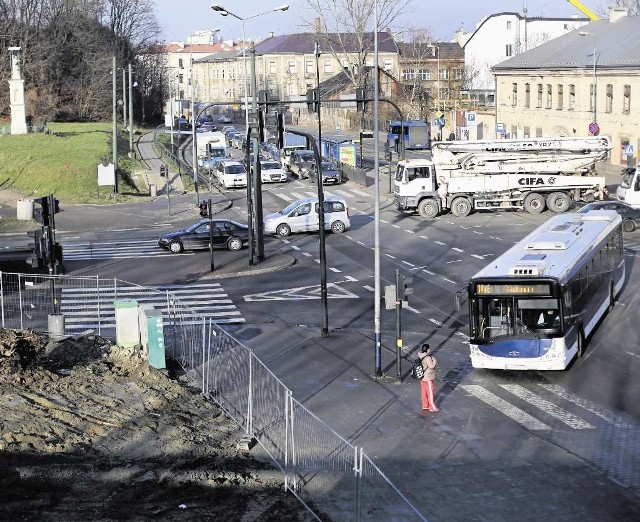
(617, 45)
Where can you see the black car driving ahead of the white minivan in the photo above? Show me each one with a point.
(226, 233)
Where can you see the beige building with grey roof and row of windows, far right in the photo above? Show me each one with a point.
(565, 85)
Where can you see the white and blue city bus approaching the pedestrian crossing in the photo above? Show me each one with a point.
(533, 307)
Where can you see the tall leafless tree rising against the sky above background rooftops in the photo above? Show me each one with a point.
(346, 28)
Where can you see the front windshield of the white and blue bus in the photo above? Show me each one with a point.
(499, 317)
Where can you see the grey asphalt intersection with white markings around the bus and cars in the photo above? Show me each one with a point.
(505, 444)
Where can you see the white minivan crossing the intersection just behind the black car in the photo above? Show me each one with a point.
(302, 216)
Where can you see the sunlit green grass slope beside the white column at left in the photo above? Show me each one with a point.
(64, 163)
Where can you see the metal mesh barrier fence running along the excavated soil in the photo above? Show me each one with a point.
(320, 467)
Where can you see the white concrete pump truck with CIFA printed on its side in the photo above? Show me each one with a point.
(528, 174)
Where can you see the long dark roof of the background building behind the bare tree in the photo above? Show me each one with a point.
(304, 43)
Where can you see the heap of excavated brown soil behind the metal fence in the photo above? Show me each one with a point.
(88, 431)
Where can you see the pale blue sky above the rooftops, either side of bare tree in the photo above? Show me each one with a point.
(442, 17)
